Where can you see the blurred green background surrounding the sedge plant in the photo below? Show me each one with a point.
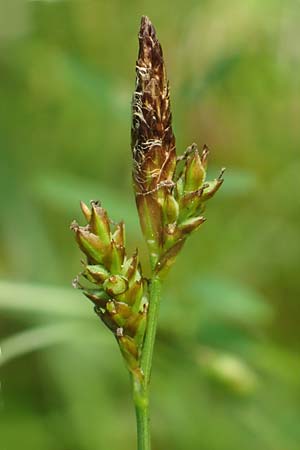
(226, 368)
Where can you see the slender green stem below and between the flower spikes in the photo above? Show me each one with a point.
(141, 387)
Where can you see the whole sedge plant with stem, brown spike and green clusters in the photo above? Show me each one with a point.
(171, 192)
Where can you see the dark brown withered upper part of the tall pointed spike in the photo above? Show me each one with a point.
(153, 141)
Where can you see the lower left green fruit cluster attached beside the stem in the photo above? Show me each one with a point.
(117, 288)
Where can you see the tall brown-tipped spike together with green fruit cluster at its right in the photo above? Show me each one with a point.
(169, 190)
